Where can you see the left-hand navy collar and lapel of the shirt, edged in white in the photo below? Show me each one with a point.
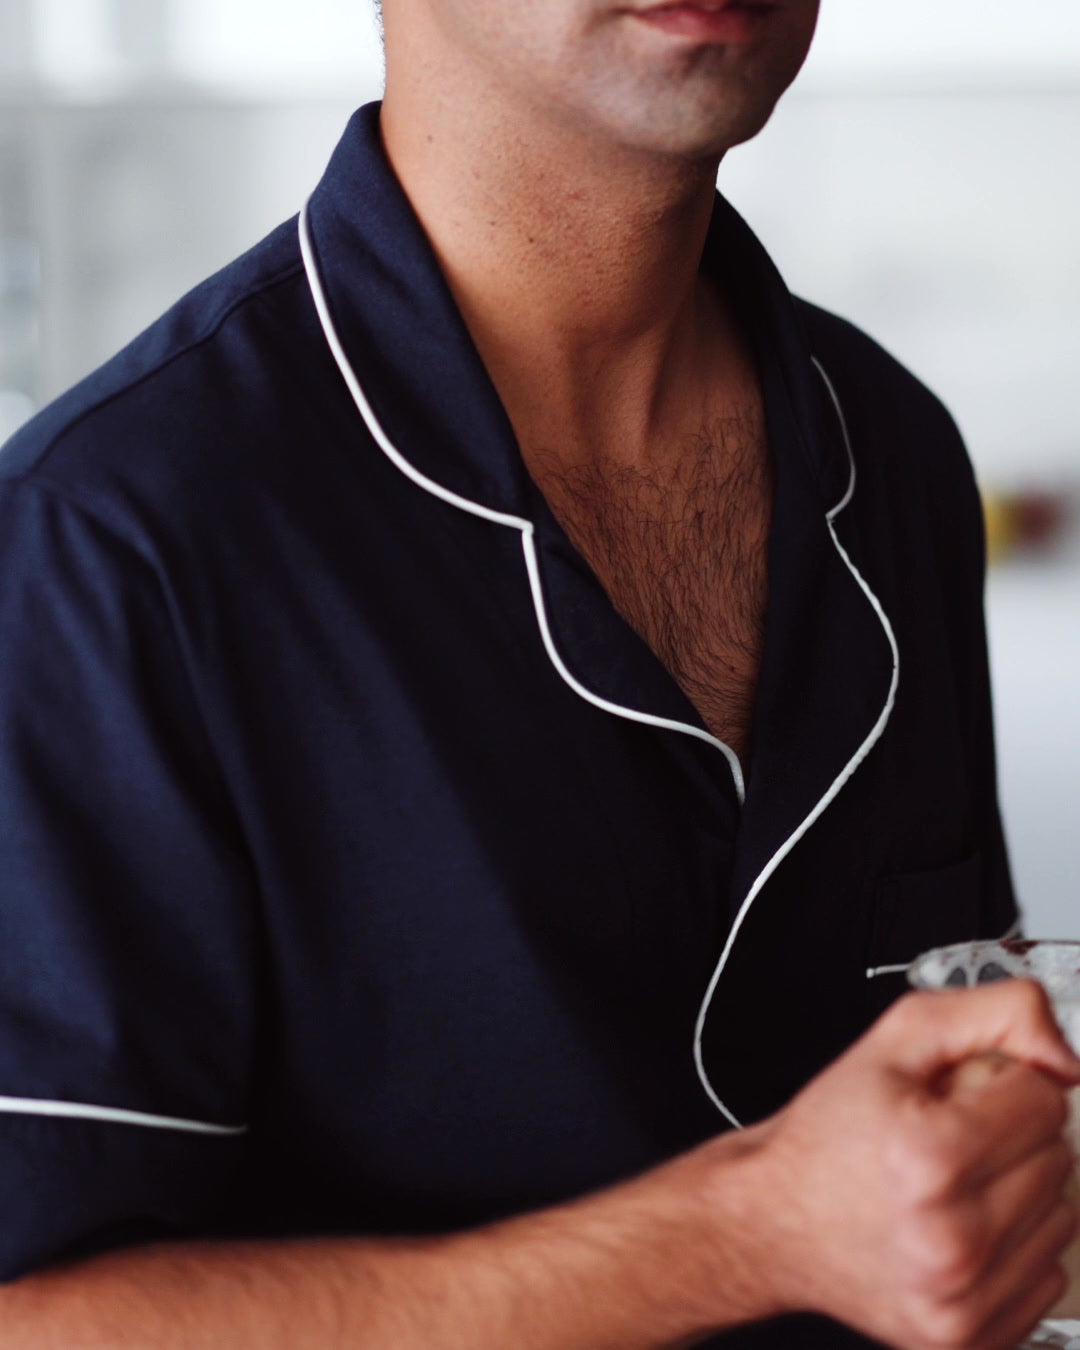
(421, 373)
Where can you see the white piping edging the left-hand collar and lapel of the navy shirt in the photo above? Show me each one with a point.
(527, 529)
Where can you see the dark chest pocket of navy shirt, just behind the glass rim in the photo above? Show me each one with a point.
(916, 912)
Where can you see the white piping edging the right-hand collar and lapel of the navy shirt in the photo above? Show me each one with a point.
(877, 731)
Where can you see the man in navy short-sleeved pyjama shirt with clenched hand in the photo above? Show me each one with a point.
(468, 735)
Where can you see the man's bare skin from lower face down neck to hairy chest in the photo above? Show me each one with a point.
(562, 159)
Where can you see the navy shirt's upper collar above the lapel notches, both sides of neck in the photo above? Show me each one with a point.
(421, 369)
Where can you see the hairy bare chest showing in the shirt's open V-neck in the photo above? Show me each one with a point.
(681, 550)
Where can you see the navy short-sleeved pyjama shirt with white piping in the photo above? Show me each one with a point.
(361, 870)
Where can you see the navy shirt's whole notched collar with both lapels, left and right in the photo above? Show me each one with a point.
(827, 666)
